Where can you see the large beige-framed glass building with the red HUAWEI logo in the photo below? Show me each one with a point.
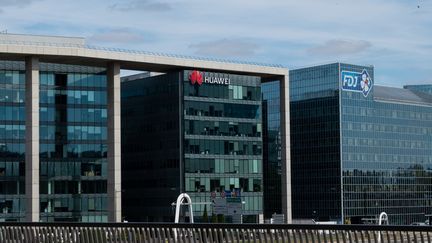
(187, 131)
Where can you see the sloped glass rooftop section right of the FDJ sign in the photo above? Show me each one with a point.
(399, 95)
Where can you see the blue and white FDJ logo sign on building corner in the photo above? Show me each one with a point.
(357, 82)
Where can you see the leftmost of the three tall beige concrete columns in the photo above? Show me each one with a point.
(32, 139)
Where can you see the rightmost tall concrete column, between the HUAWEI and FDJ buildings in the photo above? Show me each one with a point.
(286, 148)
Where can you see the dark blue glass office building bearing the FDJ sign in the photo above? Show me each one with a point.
(359, 149)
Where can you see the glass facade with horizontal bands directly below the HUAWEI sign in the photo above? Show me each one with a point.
(222, 141)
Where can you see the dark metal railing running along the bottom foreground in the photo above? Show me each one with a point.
(163, 232)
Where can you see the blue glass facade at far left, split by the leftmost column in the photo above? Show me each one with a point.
(72, 138)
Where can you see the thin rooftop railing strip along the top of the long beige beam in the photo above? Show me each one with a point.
(109, 49)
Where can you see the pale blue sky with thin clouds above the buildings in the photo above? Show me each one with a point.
(393, 35)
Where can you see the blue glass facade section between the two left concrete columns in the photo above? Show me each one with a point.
(73, 144)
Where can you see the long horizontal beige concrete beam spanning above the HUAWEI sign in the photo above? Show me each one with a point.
(129, 60)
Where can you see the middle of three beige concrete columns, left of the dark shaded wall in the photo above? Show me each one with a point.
(114, 143)
